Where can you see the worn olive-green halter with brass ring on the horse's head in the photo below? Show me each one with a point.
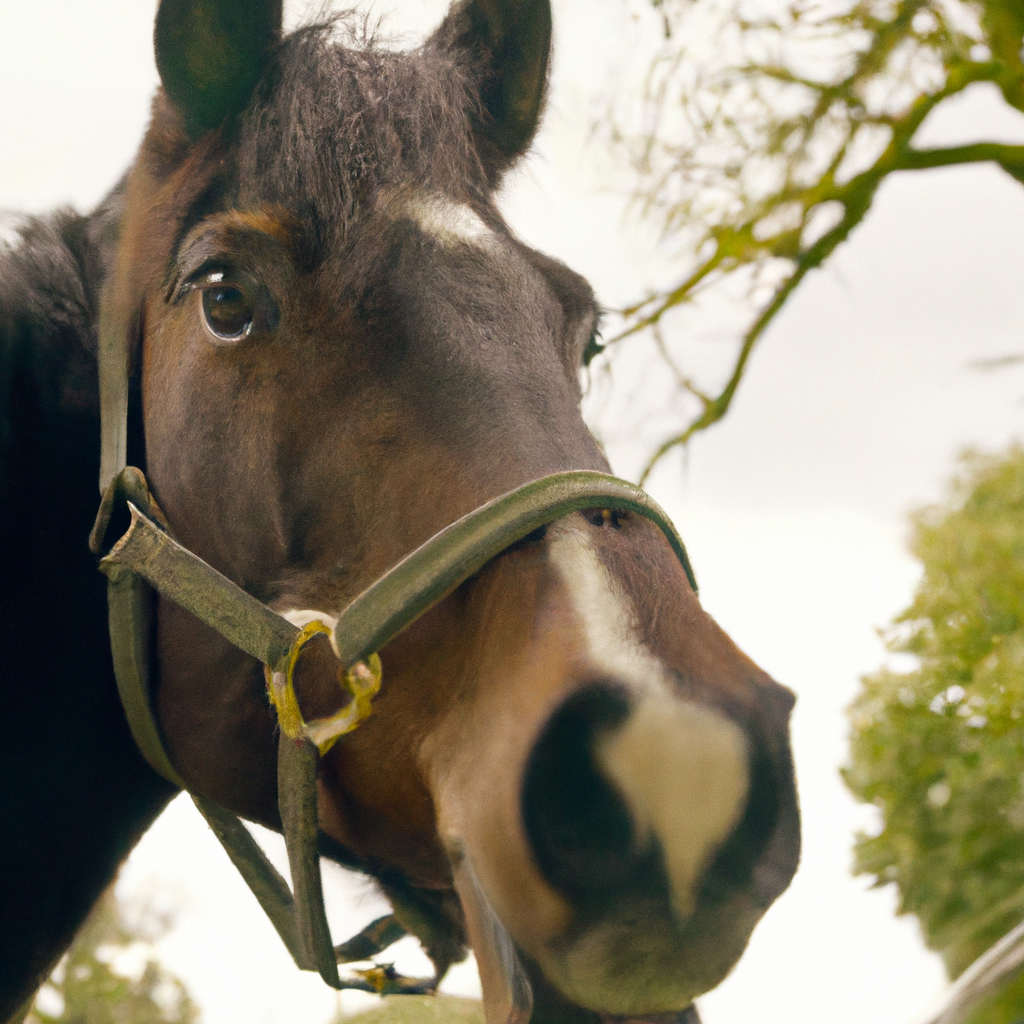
(147, 557)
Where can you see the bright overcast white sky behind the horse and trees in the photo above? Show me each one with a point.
(794, 509)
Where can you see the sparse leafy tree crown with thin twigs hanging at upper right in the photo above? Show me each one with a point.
(770, 126)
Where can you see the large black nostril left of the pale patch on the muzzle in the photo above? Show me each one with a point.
(579, 825)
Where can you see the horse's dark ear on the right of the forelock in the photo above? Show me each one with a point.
(510, 42)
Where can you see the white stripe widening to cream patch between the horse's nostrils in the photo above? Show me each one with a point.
(682, 769)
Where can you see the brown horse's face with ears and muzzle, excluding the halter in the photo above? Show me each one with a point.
(344, 350)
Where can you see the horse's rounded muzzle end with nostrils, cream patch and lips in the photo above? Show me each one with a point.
(646, 862)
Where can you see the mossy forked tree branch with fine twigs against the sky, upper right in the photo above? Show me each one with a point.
(744, 217)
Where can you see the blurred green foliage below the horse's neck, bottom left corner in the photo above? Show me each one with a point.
(90, 989)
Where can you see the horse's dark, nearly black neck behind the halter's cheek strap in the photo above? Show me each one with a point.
(77, 794)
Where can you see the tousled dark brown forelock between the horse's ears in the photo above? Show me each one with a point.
(337, 120)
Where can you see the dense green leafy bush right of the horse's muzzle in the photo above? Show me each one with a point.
(940, 750)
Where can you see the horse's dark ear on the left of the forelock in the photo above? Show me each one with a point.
(211, 54)
